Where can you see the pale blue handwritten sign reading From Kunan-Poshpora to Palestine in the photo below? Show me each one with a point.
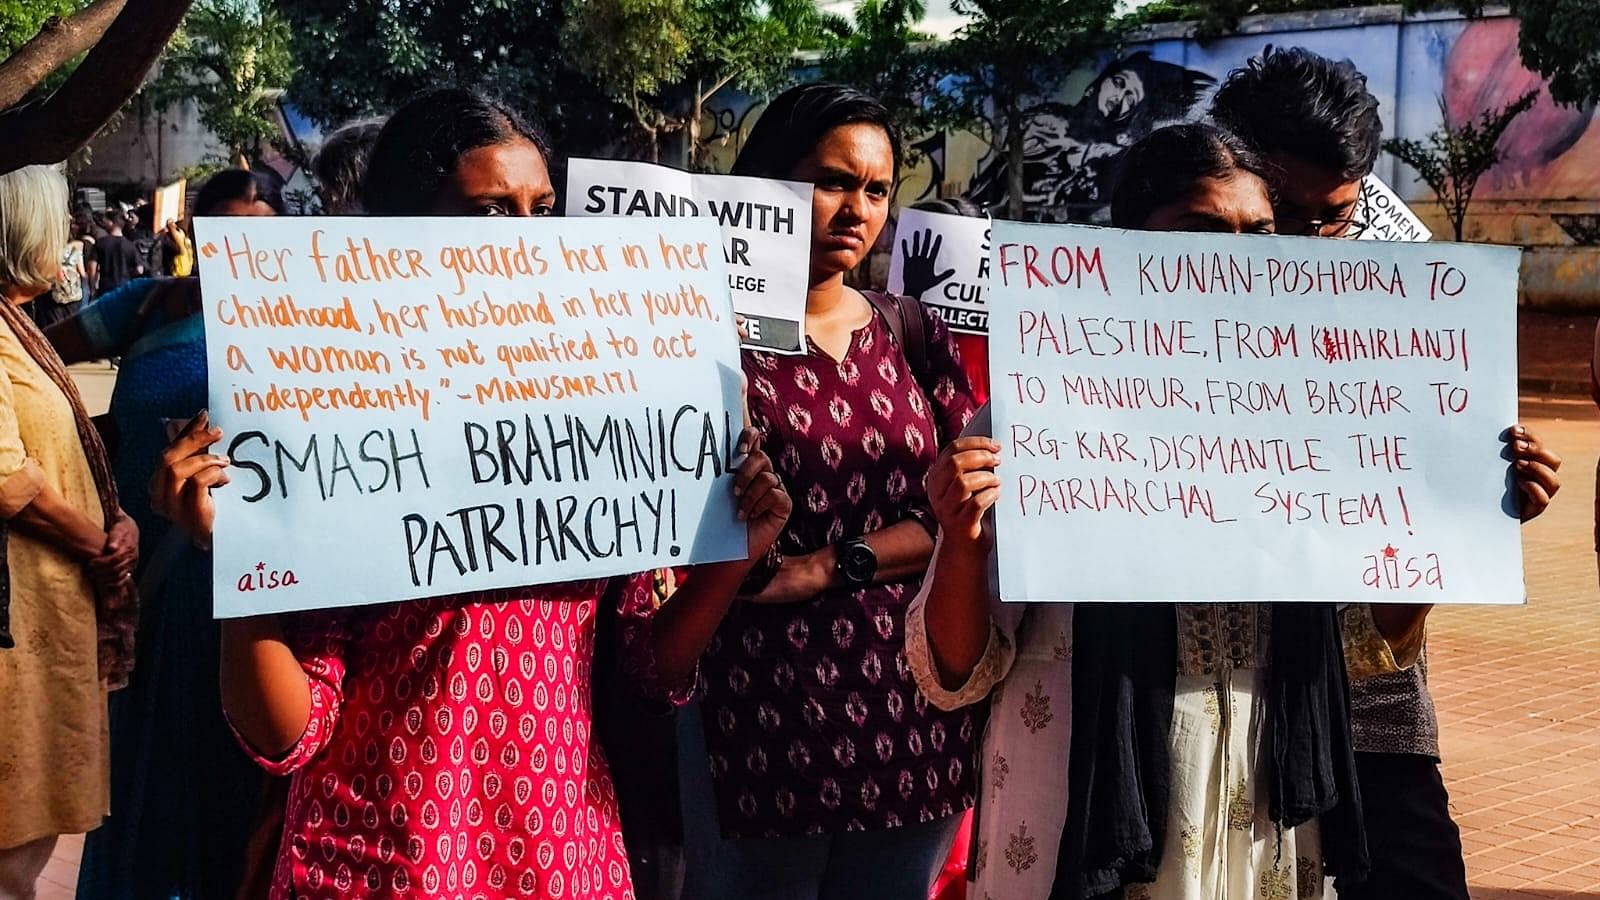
(1202, 419)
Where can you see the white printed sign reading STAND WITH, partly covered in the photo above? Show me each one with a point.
(766, 235)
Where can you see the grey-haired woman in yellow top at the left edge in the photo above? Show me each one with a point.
(66, 560)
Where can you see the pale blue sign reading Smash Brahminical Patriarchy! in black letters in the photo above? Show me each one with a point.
(420, 408)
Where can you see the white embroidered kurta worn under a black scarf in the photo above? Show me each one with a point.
(1222, 843)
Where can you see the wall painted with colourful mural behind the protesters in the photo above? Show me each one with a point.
(1415, 66)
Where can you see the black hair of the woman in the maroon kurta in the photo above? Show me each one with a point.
(794, 124)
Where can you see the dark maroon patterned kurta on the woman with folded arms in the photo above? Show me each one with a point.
(814, 721)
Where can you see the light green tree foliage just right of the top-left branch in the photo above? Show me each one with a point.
(233, 58)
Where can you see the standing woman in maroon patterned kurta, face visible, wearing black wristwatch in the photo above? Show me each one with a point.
(814, 728)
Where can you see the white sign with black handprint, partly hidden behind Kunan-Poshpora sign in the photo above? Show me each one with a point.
(943, 262)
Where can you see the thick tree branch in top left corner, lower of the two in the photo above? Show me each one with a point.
(66, 121)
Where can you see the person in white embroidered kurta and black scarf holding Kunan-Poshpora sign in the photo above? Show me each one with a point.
(1191, 691)
